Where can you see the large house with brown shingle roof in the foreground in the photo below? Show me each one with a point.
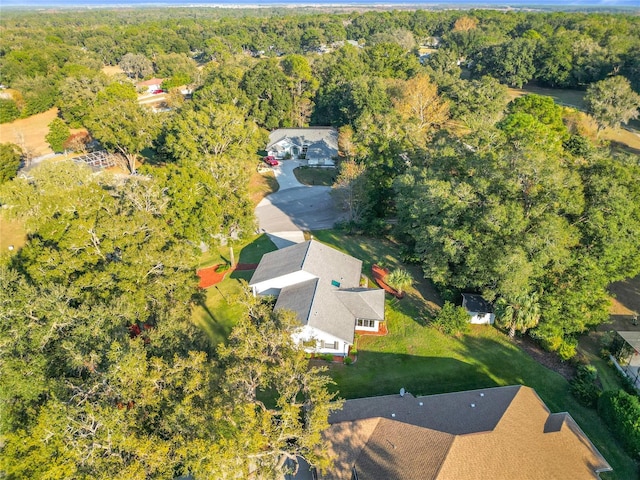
(494, 433)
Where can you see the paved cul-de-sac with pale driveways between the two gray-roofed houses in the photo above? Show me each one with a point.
(295, 207)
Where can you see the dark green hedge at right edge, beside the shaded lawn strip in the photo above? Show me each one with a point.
(621, 412)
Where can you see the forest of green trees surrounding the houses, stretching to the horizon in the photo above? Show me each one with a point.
(104, 375)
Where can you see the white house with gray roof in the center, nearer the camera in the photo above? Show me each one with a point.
(322, 286)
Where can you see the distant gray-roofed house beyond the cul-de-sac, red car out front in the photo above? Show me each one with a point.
(318, 145)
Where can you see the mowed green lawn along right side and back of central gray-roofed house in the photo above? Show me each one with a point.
(424, 361)
